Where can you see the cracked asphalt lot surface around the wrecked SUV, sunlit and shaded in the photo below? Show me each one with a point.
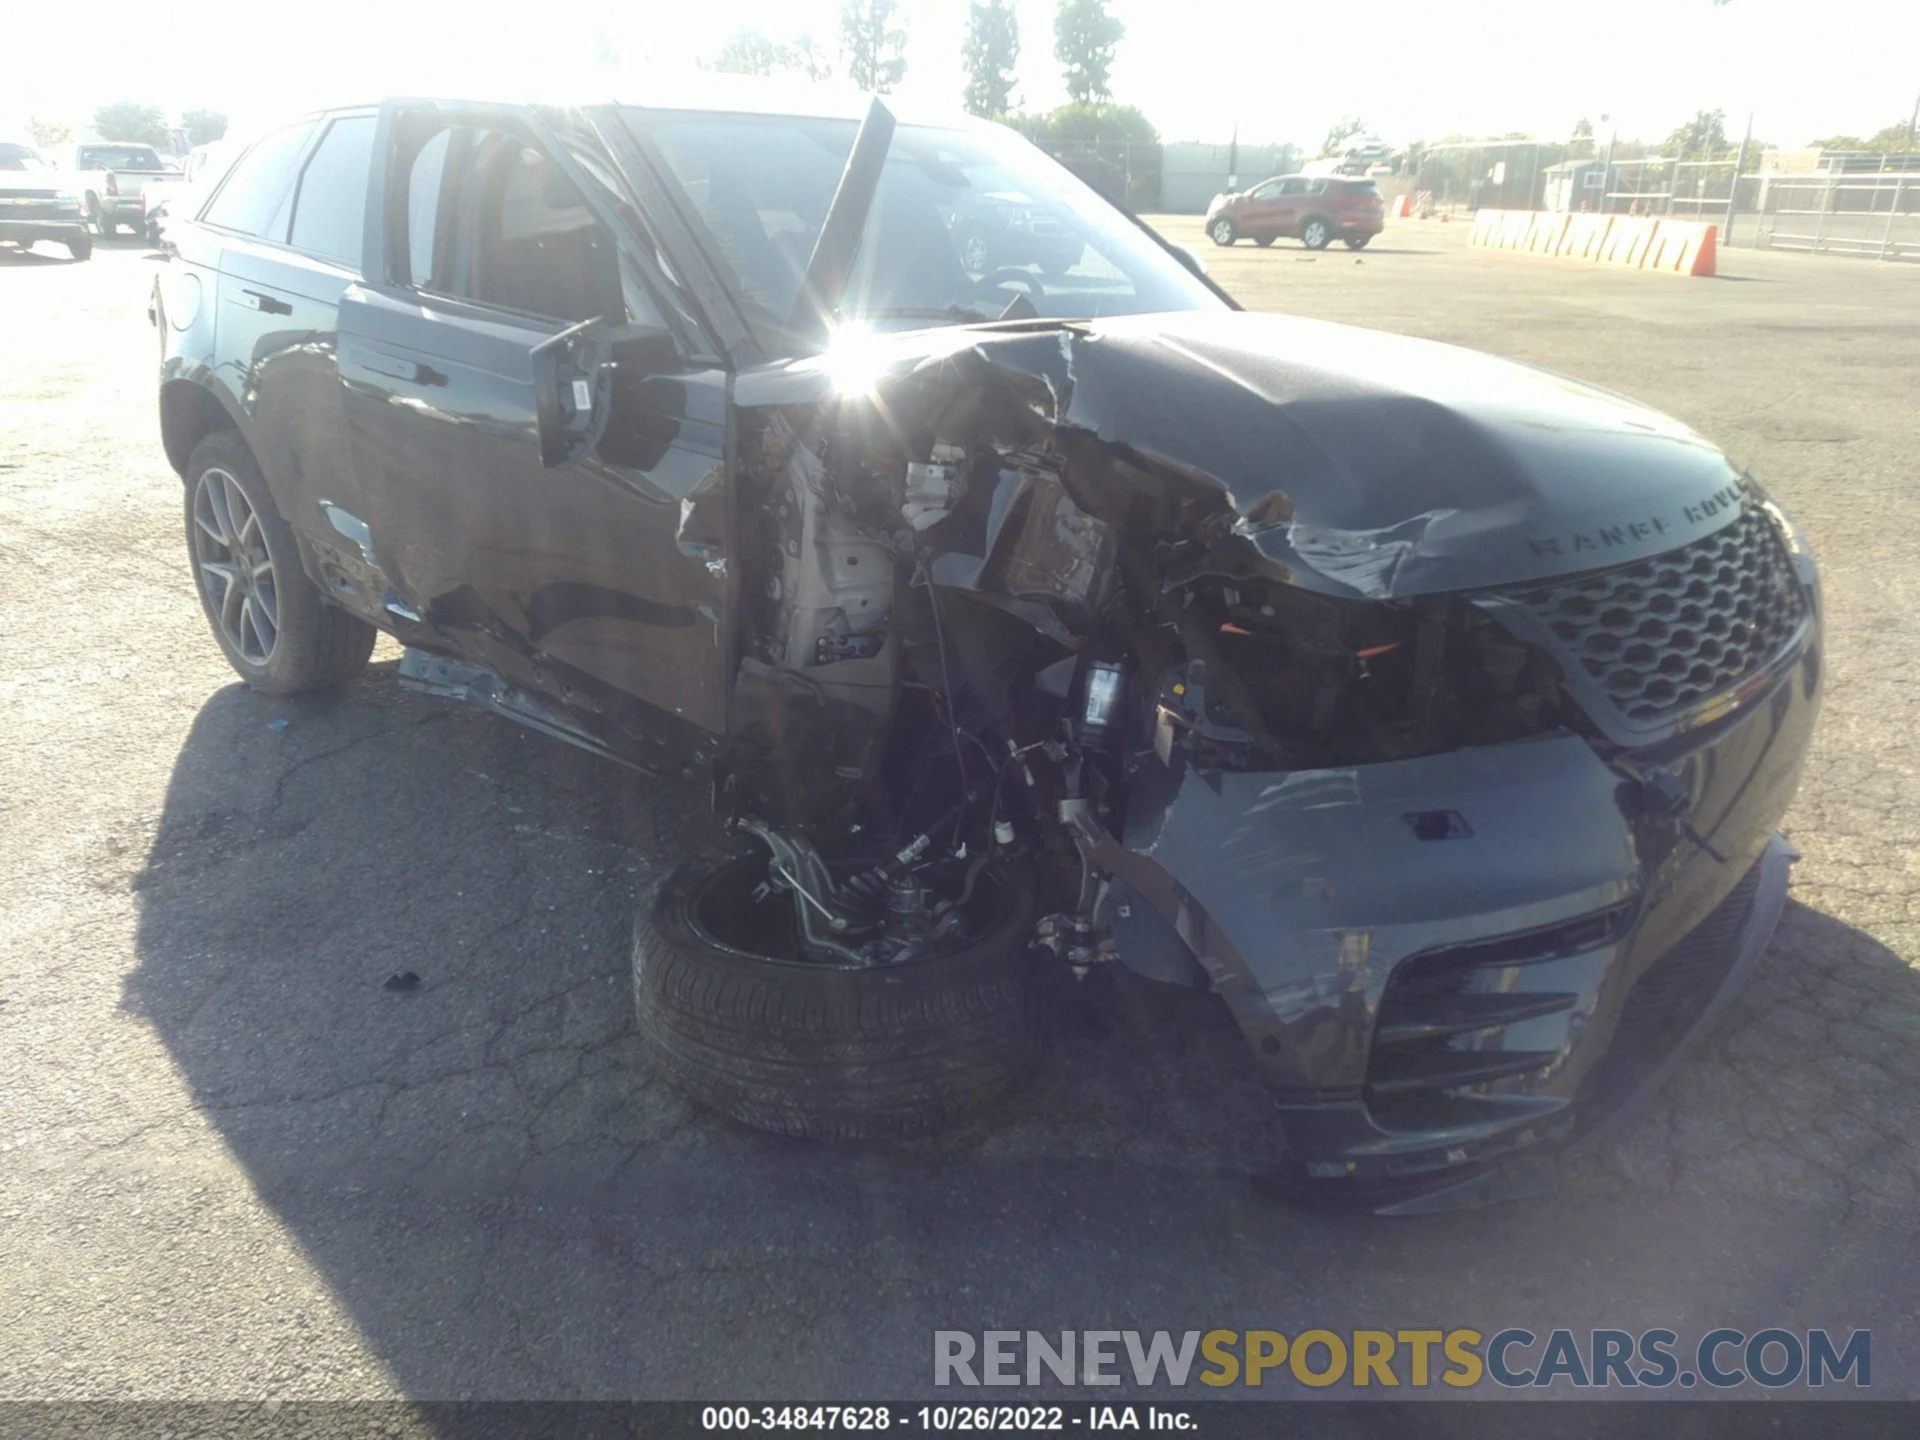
(233, 1164)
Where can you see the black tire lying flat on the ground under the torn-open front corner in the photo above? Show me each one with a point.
(830, 1053)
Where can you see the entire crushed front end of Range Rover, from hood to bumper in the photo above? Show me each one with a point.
(1435, 713)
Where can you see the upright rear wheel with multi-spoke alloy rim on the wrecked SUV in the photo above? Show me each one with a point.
(274, 625)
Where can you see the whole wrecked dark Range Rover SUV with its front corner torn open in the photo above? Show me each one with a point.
(1433, 711)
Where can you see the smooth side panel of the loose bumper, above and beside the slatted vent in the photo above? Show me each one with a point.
(1303, 892)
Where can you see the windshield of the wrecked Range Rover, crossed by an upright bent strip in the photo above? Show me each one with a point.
(965, 226)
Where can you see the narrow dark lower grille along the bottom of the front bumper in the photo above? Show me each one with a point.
(1668, 999)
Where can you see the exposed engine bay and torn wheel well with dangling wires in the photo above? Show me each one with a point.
(969, 631)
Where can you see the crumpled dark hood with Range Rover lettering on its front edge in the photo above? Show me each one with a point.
(1364, 464)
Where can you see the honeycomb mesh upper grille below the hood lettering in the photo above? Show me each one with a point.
(1666, 635)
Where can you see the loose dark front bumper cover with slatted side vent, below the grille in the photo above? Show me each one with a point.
(1452, 969)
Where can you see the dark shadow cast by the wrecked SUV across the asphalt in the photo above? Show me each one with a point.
(387, 948)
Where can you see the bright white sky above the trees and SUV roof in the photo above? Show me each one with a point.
(1199, 68)
